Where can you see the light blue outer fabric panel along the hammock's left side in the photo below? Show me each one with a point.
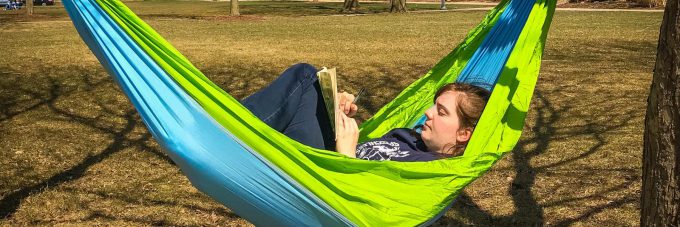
(149, 88)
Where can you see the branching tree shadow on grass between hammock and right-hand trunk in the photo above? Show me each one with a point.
(530, 212)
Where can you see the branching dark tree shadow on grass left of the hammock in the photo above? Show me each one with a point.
(120, 136)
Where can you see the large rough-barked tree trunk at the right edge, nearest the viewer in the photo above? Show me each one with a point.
(661, 154)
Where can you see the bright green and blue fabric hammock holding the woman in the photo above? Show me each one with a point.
(269, 179)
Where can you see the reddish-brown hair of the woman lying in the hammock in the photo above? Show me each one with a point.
(469, 107)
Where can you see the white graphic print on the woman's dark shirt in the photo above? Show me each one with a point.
(380, 150)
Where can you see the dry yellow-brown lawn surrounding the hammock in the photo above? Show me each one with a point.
(73, 150)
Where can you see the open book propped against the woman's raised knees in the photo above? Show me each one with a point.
(329, 91)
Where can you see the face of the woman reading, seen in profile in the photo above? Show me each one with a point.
(442, 129)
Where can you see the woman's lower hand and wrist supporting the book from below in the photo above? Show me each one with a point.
(348, 135)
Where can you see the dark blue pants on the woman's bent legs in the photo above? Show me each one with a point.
(293, 105)
